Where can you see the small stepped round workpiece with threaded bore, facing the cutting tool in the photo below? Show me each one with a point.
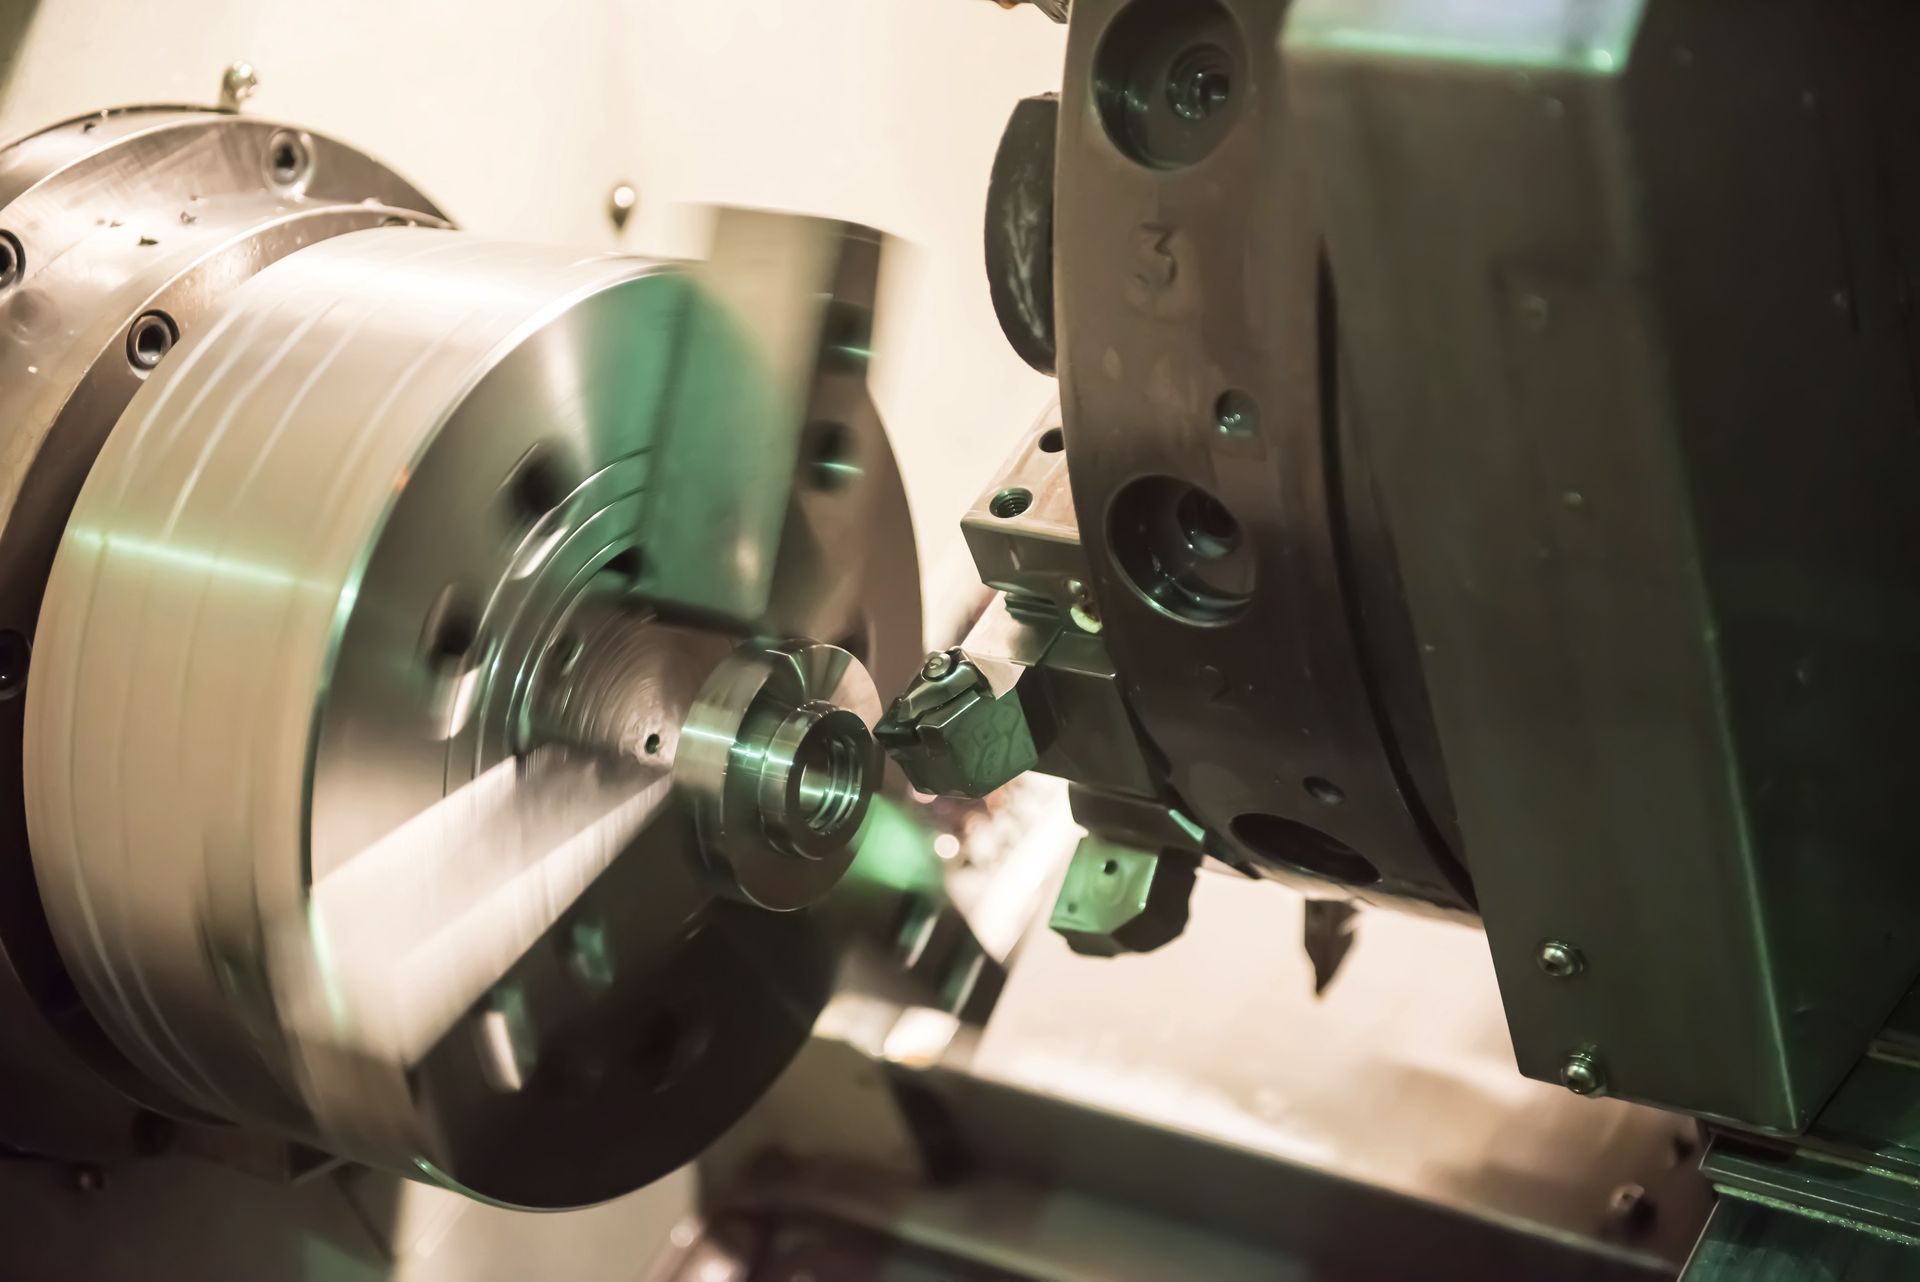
(780, 763)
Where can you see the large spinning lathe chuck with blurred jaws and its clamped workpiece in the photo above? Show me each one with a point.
(418, 763)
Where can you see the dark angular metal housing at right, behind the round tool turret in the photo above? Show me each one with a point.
(1644, 429)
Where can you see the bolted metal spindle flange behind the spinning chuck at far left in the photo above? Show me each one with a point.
(128, 224)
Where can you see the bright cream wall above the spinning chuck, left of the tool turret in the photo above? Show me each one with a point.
(525, 118)
